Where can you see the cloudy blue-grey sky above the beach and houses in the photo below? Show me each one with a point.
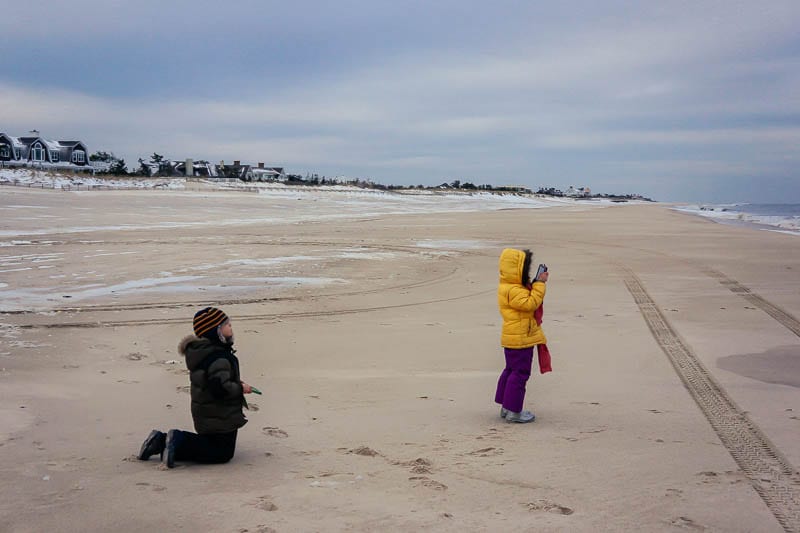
(684, 101)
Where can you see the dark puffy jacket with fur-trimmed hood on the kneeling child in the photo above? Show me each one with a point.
(216, 388)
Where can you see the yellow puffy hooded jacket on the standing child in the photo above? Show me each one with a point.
(517, 303)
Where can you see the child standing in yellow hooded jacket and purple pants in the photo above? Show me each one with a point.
(518, 297)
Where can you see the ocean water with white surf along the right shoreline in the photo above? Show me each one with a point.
(773, 217)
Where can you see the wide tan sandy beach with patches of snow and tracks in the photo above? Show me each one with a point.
(375, 342)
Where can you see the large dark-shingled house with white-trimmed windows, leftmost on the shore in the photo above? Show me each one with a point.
(35, 151)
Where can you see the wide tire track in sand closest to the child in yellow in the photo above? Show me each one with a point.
(769, 472)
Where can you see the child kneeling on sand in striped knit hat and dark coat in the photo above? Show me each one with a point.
(217, 397)
